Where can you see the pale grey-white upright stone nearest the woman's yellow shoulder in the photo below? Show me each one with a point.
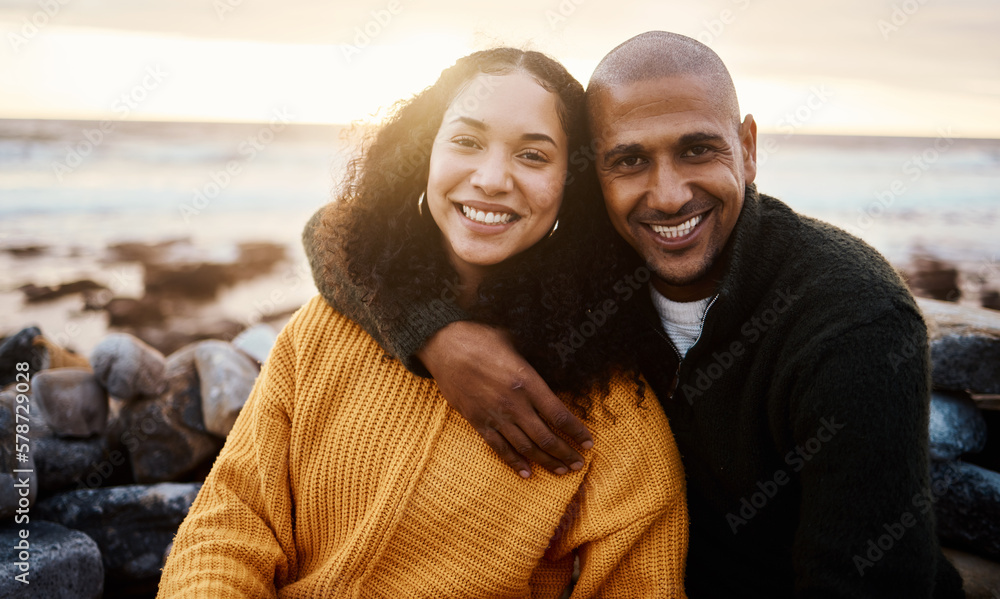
(227, 376)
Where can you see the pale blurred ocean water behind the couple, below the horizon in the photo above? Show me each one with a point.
(71, 188)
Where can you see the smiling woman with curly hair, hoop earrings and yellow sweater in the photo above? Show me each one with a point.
(348, 476)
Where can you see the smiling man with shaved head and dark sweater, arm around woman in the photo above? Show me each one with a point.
(774, 343)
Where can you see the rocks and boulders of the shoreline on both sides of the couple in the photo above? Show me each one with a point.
(120, 439)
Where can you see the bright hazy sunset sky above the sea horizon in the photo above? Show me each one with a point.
(853, 67)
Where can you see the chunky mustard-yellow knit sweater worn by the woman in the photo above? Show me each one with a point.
(347, 476)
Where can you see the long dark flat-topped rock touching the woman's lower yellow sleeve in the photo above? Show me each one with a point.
(132, 524)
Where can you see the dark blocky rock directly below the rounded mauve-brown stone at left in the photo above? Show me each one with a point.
(66, 463)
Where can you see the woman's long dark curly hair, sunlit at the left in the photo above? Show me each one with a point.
(544, 295)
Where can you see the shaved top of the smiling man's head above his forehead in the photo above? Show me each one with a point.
(661, 54)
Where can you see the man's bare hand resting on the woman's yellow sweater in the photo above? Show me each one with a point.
(503, 398)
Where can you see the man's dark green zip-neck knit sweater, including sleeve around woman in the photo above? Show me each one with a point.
(801, 416)
